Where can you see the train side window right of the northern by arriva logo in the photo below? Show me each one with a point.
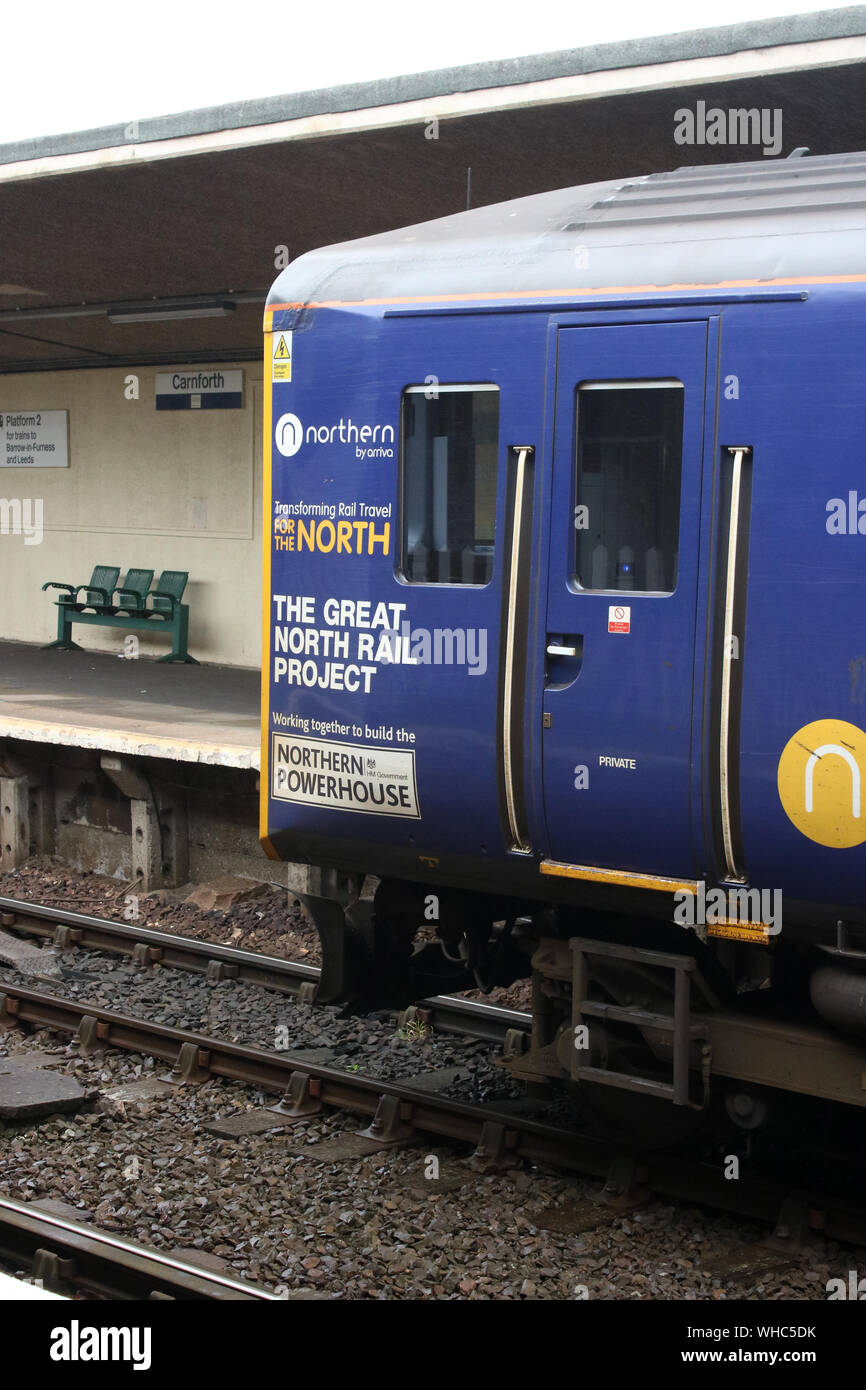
(450, 454)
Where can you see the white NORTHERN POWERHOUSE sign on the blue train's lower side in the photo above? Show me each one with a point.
(344, 776)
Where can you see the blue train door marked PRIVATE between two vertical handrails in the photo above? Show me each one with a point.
(623, 597)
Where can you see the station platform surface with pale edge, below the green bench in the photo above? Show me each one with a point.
(94, 700)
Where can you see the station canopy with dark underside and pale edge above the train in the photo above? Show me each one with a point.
(158, 241)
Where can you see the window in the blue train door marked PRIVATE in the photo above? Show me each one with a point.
(628, 486)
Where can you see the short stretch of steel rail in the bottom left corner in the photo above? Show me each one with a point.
(74, 1259)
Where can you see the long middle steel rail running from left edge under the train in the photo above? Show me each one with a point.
(497, 1135)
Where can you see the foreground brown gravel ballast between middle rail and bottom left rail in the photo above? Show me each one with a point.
(380, 1227)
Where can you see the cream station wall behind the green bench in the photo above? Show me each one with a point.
(159, 490)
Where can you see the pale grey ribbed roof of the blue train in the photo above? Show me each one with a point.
(774, 222)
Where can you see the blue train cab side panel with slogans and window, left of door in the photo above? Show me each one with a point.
(393, 548)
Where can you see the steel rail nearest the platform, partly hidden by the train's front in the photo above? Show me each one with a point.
(465, 1017)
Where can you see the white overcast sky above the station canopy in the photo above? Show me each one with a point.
(74, 65)
